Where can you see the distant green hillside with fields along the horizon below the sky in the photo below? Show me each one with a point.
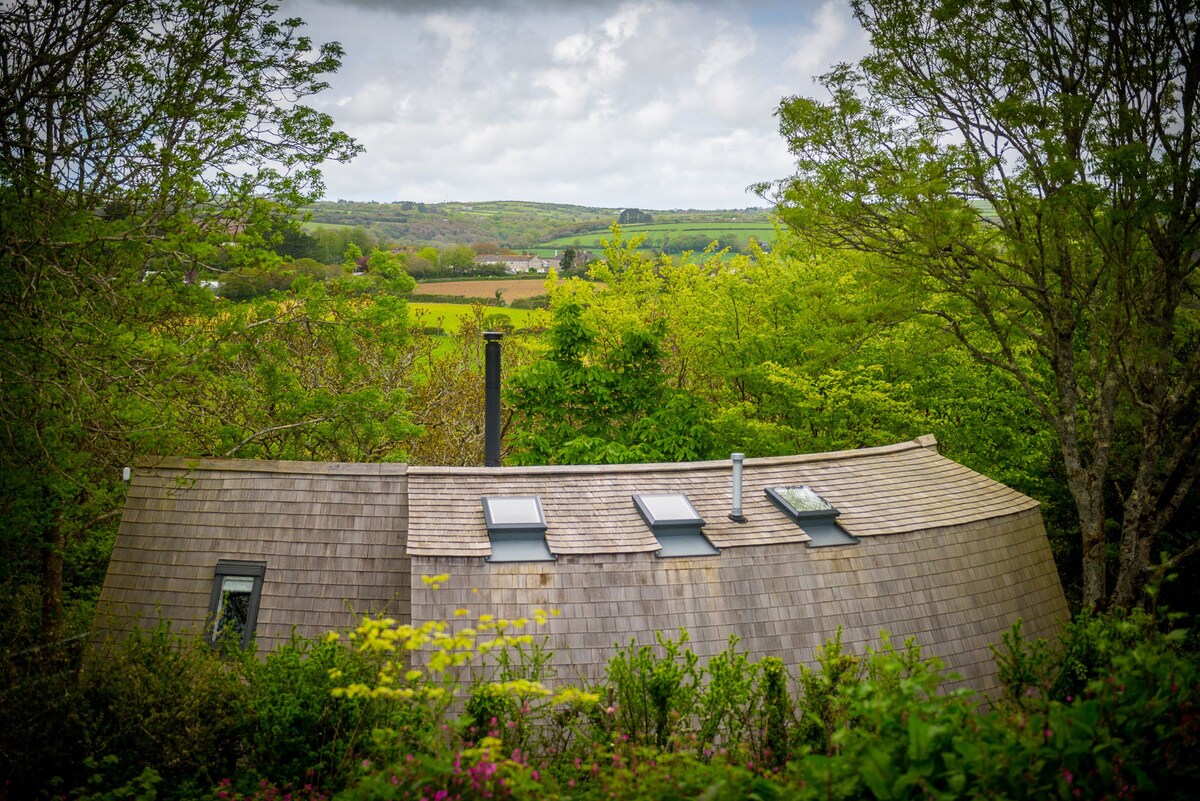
(520, 225)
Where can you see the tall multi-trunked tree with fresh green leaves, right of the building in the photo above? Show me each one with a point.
(1036, 166)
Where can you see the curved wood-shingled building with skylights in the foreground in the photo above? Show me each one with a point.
(895, 538)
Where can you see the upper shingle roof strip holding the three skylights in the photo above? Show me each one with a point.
(880, 491)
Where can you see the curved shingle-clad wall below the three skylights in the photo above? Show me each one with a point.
(956, 589)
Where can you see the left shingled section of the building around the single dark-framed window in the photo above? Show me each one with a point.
(332, 535)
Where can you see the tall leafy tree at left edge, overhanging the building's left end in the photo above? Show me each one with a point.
(142, 142)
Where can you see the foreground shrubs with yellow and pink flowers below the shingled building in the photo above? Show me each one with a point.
(470, 709)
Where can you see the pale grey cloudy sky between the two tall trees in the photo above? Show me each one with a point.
(647, 104)
